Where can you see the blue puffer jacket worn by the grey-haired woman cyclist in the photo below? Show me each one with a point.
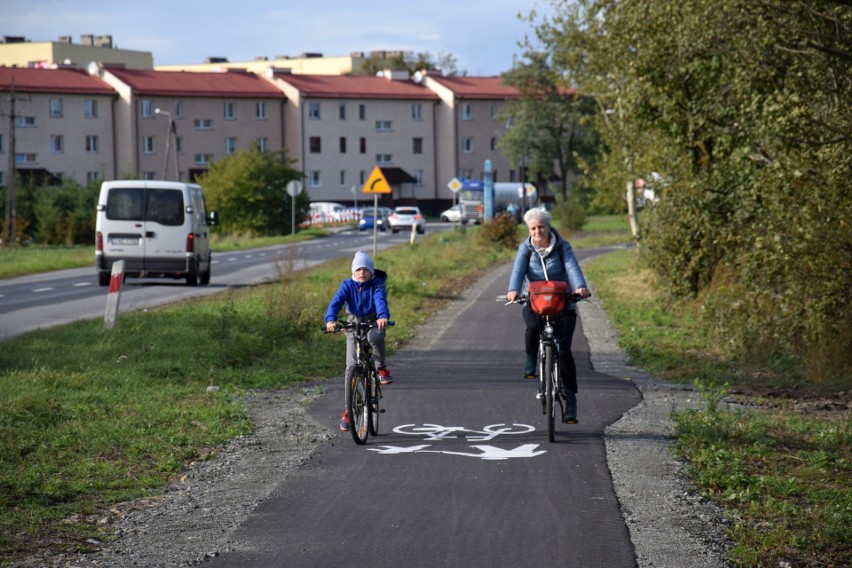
(527, 267)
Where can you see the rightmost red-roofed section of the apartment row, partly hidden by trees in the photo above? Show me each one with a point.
(469, 126)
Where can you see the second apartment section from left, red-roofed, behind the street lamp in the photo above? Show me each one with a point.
(214, 114)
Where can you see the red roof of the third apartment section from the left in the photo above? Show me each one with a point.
(356, 87)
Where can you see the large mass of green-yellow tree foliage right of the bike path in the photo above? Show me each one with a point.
(743, 105)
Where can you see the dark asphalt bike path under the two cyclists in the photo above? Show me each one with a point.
(461, 473)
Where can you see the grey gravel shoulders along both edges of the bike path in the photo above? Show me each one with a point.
(194, 518)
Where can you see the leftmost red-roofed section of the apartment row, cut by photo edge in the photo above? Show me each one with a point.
(56, 123)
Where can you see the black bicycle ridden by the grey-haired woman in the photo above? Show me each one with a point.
(550, 390)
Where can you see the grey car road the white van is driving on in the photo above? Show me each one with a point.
(57, 298)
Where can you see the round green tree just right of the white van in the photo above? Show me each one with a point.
(249, 190)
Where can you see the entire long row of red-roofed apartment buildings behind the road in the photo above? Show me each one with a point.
(423, 132)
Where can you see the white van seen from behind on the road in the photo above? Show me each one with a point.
(160, 229)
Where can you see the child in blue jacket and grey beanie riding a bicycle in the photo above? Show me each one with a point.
(365, 297)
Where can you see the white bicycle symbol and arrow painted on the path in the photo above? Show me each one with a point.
(435, 432)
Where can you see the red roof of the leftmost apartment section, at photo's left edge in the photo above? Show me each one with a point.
(62, 80)
